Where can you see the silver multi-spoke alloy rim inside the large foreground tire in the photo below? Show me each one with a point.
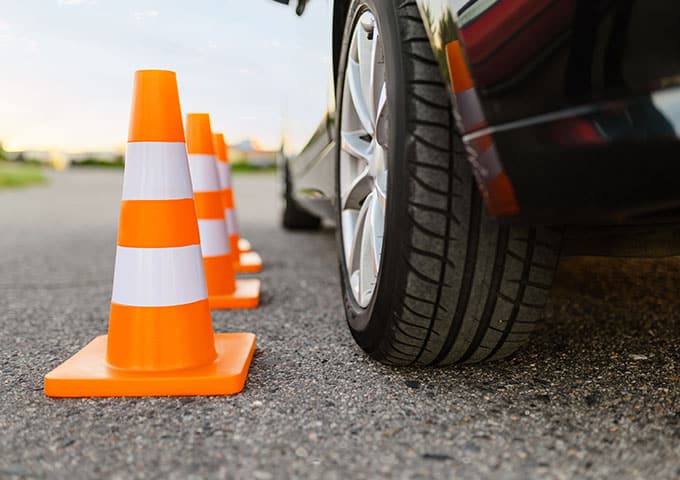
(363, 168)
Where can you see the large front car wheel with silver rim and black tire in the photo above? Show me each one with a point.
(428, 278)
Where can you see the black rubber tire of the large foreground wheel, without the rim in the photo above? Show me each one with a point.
(452, 285)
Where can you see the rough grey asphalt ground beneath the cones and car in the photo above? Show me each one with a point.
(597, 394)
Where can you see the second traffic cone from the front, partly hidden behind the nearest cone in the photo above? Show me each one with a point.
(224, 290)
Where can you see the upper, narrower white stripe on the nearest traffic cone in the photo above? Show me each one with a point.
(156, 171)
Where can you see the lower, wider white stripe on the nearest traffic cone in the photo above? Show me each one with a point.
(158, 277)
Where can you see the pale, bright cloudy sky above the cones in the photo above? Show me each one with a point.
(67, 67)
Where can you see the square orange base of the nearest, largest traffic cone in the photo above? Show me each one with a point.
(87, 374)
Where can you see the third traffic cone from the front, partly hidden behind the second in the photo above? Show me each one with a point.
(245, 260)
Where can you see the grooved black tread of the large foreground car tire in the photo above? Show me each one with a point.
(473, 291)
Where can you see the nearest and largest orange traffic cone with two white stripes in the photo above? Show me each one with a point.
(160, 339)
